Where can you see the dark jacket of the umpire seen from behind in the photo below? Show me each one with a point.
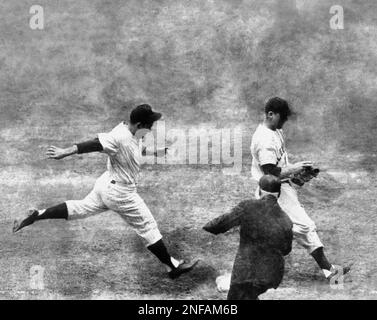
(265, 237)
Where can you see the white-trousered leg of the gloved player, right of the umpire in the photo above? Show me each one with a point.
(304, 228)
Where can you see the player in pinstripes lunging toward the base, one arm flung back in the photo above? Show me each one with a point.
(116, 188)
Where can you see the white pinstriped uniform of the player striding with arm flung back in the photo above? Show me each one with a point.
(116, 189)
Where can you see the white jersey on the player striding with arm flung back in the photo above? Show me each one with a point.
(124, 153)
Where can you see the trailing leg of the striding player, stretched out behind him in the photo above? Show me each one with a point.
(71, 209)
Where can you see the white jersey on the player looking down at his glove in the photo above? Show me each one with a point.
(267, 147)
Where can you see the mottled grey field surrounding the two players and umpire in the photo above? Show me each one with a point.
(201, 63)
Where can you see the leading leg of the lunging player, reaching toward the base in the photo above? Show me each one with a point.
(129, 205)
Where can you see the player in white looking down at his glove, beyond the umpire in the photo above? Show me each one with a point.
(269, 156)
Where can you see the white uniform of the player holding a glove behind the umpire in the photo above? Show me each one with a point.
(268, 147)
